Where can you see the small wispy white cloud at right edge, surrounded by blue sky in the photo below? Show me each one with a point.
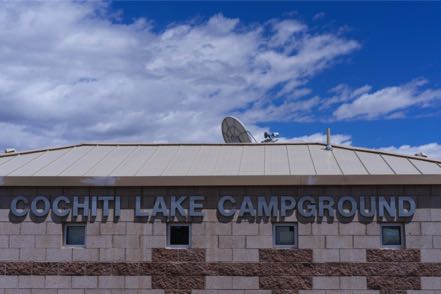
(389, 102)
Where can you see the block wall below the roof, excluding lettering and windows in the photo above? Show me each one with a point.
(128, 255)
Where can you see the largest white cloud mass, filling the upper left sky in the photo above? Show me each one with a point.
(69, 74)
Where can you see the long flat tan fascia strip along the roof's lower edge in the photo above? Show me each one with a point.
(259, 180)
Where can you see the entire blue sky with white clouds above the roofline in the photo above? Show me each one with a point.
(169, 71)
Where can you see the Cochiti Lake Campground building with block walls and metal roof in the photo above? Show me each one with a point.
(209, 218)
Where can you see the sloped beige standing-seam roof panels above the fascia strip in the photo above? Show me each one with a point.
(209, 160)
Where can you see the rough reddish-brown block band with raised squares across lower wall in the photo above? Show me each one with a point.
(172, 271)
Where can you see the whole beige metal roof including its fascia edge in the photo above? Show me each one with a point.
(213, 164)
